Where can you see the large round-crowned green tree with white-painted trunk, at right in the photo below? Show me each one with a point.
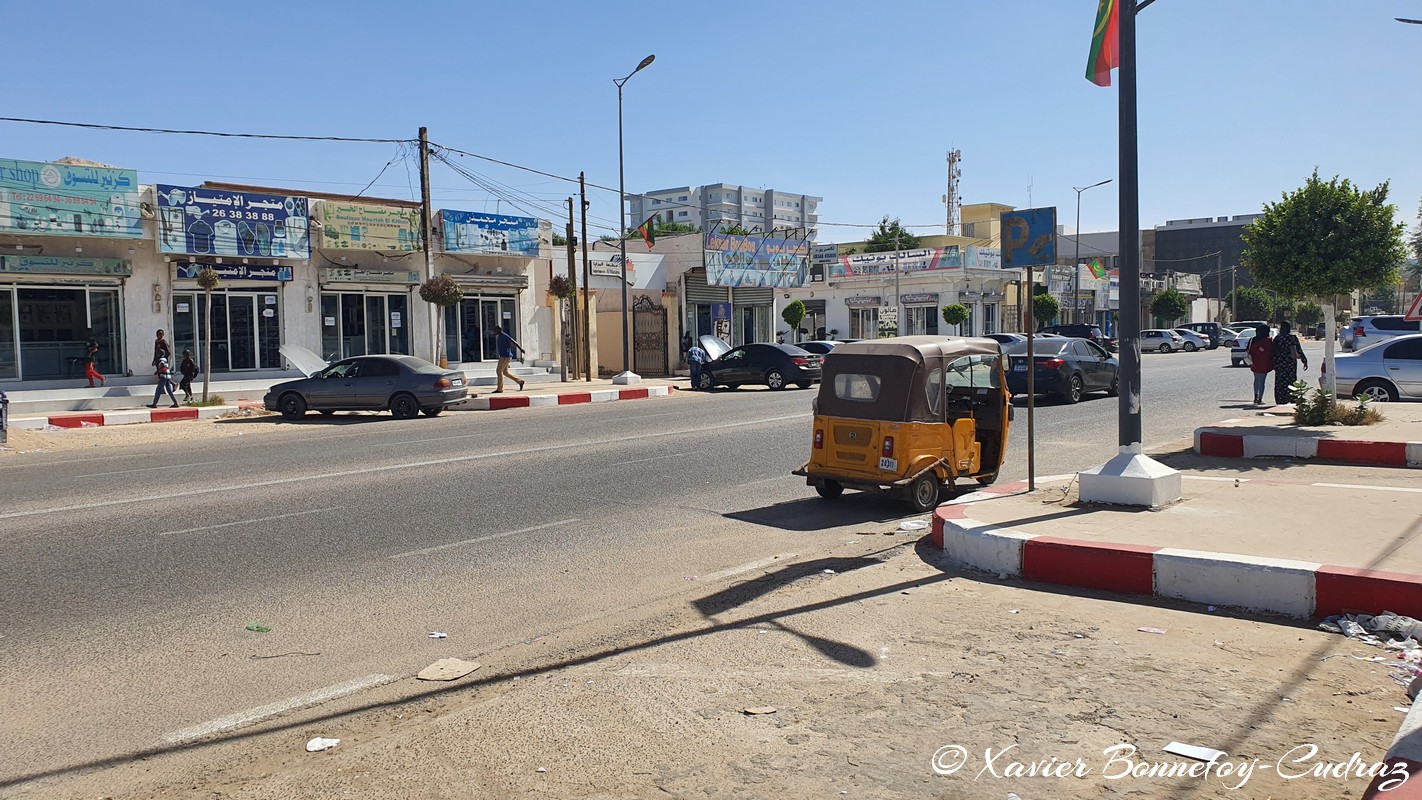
(1326, 239)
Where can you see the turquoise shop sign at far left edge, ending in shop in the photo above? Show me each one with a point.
(69, 200)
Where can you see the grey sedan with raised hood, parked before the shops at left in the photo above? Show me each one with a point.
(402, 384)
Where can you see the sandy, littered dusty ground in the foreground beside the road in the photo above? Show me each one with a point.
(871, 670)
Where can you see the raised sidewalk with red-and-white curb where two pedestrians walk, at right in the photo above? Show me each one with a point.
(1397, 441)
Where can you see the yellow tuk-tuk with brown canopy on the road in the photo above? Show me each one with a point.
(909, 416)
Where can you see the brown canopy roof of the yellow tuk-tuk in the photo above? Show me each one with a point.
(902, 367)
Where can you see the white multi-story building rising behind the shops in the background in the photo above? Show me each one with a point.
(759, 211)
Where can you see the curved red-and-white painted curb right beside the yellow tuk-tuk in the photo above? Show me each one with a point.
(1279, 586)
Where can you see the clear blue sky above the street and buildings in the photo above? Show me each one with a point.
(857, 103)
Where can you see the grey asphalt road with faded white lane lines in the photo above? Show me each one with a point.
(127, 578)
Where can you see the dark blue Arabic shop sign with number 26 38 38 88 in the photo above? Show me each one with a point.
(232, 224)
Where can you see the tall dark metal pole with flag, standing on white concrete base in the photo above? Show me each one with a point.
(1128, 424)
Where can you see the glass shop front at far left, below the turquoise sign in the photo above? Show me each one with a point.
(50, 308)
